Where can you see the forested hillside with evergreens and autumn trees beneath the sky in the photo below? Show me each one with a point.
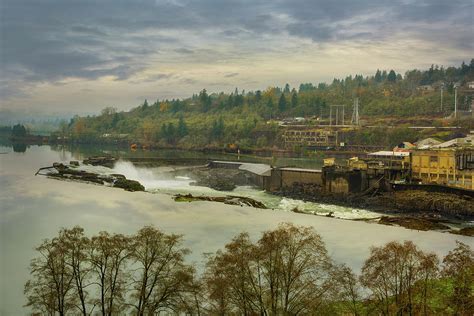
(244, 118)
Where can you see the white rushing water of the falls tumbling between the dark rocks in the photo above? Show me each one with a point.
(161, 179)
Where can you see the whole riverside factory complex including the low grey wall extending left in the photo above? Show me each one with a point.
(429, 164)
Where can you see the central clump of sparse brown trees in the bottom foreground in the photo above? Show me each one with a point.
(286, 272)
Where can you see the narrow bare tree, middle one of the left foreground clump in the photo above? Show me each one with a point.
(109, 255)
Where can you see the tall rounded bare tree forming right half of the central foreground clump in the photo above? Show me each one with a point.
(296, 268)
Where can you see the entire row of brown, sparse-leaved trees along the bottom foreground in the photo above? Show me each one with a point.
(286, 272)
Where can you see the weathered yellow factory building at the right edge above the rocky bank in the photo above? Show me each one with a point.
(428, 162)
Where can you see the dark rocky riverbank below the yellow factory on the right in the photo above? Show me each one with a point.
(413, 209)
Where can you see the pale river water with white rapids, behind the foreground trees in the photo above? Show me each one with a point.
(34, 208)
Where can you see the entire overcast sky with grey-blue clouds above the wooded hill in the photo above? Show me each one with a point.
(81, 56)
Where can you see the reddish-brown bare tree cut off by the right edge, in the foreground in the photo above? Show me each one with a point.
(458, 266)
